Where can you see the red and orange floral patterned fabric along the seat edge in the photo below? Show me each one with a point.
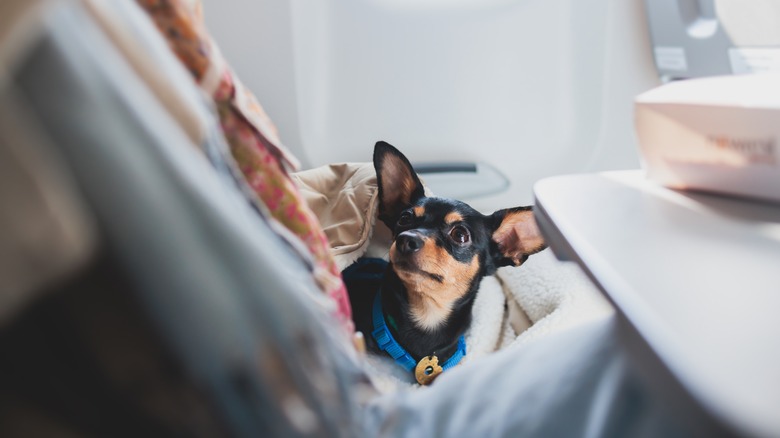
(253, 139)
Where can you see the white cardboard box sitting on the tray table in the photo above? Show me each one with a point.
(717, 134)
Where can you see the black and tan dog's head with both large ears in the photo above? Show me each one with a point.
(442, 248)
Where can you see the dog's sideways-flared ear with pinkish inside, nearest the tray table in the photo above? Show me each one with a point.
(517, 235)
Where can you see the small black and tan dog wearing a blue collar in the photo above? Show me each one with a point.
(417, 307)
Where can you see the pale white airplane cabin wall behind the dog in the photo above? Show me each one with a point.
(532, 87)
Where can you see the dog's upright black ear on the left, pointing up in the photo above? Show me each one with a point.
(399, 186)
